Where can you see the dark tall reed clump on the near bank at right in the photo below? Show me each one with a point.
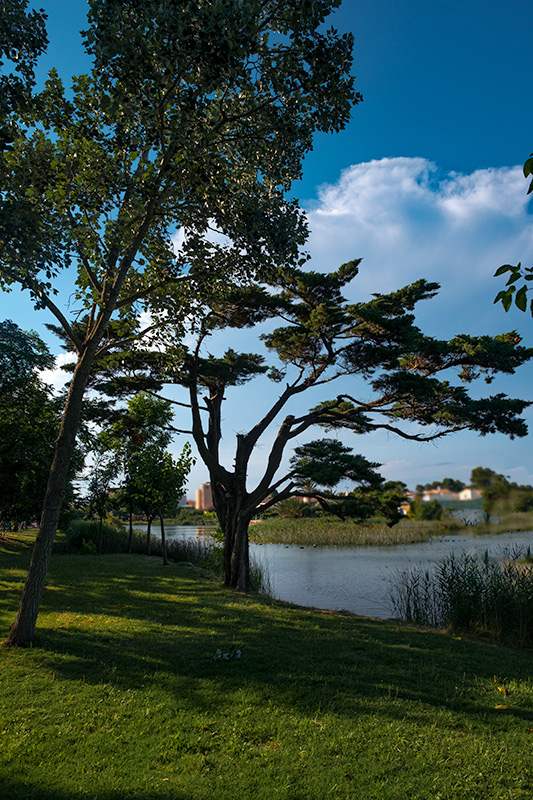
(467, 593)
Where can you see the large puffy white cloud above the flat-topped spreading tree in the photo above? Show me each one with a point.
(408, 220)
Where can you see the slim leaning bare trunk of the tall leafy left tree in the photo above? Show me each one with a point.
(23, 629)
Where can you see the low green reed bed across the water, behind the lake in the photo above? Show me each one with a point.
(324, 531)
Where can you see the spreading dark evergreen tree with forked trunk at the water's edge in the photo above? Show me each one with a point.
(391, 377)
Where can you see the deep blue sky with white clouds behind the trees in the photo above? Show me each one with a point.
(424, 182)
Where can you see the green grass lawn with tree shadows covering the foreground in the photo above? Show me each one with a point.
(120, 696)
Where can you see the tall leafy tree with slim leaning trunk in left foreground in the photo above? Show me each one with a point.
(196, 116)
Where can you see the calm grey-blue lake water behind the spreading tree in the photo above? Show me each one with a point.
(357, 579)
